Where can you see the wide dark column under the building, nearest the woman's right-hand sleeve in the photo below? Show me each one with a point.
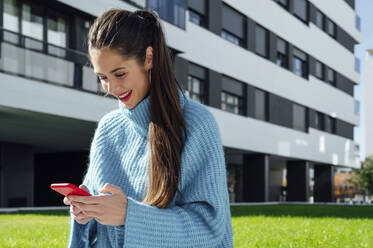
(255, 178)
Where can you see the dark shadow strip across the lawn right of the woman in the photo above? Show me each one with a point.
(347, 212)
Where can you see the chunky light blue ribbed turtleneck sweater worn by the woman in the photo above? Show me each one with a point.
(119, 155)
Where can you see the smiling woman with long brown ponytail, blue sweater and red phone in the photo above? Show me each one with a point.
(157, 170)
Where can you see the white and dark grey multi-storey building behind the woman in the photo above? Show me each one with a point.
(278, 77)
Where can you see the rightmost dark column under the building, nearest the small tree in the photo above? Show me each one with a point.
(324, 183)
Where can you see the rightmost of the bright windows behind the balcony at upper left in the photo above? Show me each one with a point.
(56, 35)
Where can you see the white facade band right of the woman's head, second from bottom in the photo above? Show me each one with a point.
(206, 49)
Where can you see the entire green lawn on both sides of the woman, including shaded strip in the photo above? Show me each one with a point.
(253, 226)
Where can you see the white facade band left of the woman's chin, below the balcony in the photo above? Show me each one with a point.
(21, 93)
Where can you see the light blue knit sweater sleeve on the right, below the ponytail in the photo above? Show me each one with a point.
(198, 218)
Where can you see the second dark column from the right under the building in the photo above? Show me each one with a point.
(297, 177)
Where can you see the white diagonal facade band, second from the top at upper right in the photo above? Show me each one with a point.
(310, 38)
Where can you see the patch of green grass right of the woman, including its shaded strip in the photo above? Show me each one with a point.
(302, 226)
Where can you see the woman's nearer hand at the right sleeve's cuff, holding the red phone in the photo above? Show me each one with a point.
(106, 209)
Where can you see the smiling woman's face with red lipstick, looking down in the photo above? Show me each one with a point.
(123, 78)
